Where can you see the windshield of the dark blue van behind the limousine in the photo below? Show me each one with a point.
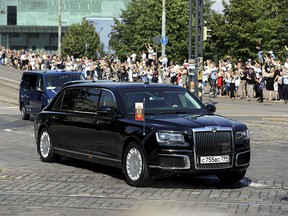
(55, 81)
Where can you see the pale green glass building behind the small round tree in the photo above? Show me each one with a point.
(33, 24)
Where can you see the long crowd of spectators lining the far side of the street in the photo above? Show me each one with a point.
(225, 78)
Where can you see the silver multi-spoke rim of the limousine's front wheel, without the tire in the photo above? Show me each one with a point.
(134, 163)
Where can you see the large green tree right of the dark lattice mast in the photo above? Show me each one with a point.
(243, 24)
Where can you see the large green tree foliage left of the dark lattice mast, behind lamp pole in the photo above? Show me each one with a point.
(142, 21)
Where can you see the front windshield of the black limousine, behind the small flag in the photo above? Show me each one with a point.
(163, 101)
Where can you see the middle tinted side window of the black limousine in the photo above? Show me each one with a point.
(88, 100)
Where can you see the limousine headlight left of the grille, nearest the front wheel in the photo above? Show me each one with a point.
(170, 138)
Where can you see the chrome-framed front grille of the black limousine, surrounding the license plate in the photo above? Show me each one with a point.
(213, 141)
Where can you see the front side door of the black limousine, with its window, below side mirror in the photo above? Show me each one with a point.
(106, 133)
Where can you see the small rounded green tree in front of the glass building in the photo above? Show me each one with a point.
(81, 40)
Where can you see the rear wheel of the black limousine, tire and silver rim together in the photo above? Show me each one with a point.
(45, 147)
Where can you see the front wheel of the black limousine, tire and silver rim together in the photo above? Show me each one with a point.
(135, 167)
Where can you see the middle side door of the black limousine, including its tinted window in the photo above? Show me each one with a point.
(82, 120)
